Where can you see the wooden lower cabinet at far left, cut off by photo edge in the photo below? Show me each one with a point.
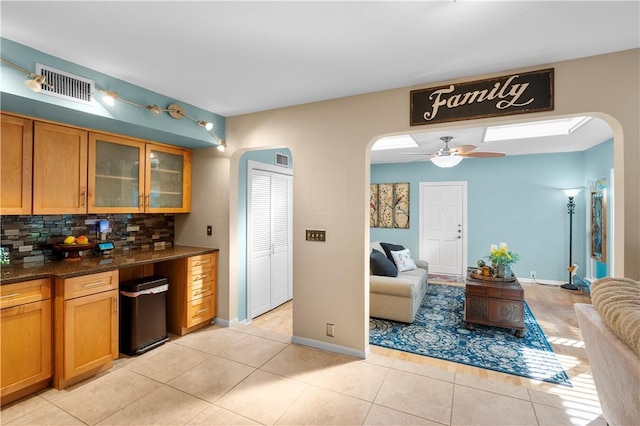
(25, 328)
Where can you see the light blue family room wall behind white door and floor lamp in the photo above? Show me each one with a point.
(514, 199)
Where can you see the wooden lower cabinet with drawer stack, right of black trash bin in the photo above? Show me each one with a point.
(191, 300)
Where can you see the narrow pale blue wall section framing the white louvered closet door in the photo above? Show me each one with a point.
(266, 156)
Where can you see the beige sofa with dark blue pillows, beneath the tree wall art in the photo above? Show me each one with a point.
(398, 298)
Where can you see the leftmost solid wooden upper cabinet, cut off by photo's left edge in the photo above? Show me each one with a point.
(16, 154)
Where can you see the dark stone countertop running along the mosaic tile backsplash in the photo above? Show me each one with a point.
(95, 263)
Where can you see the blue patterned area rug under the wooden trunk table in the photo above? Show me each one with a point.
(438, 332)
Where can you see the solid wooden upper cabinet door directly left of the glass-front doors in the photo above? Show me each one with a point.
(59, 169)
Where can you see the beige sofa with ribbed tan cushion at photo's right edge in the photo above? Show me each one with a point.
(611, 333)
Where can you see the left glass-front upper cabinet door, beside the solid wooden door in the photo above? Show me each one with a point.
(116, 174)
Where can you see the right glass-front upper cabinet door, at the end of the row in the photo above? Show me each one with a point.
(168, 180)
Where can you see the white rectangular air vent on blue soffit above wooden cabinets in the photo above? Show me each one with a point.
(67, 86)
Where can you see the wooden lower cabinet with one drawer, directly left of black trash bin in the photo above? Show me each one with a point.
(86, 326)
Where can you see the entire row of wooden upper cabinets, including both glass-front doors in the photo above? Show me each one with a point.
(76, 172)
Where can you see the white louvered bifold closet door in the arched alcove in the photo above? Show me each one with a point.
(271, 239)
